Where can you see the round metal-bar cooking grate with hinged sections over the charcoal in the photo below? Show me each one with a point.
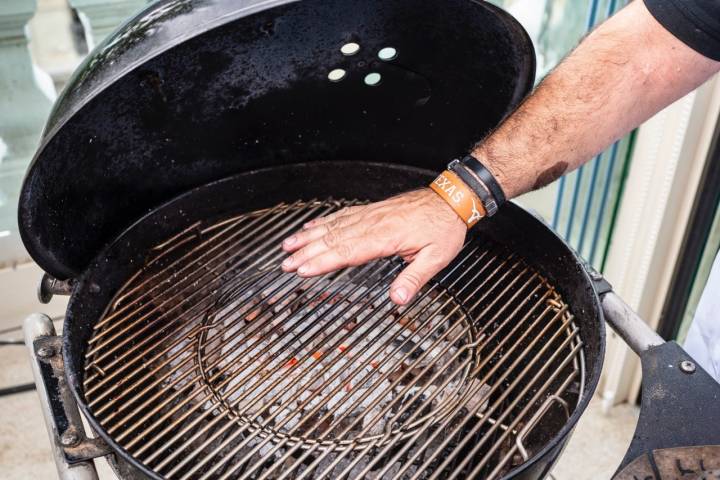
(213, 363)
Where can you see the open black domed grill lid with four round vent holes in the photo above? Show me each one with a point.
(190, 91)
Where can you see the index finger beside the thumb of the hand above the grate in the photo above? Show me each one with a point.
(352, 252)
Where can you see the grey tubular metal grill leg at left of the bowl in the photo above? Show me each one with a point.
(39, 335)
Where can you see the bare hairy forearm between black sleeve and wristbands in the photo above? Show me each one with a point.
(620, 75)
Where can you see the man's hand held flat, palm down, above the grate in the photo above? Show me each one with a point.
(418, 226)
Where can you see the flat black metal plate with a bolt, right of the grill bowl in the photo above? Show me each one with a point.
(679, 409)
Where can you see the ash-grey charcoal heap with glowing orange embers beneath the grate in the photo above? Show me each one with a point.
(357, 401)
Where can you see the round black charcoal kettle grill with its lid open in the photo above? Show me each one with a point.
(197, 137)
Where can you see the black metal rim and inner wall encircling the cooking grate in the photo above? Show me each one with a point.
(509, 227)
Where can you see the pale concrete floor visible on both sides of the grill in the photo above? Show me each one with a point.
(593, 453)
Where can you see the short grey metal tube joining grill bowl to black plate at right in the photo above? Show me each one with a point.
(626, 323)
